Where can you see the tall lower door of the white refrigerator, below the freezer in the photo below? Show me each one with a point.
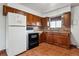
(16, 40)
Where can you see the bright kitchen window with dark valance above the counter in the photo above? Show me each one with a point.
(55, 23)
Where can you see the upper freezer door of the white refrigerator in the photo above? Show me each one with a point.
(16, 19)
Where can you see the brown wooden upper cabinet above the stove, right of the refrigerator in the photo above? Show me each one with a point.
(33, 20)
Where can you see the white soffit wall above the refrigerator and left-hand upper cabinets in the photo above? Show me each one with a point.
(24, 8)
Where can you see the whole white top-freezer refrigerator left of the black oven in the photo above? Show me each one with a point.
(16, 41)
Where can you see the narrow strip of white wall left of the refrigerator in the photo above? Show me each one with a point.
(2, 28)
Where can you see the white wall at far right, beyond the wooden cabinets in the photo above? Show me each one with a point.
(75, 25)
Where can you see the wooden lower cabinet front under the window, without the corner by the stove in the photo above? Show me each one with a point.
(59, 39)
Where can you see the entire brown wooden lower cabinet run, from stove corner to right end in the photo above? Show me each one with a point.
(55, 38)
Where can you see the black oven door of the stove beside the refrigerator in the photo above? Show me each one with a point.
(33, 40)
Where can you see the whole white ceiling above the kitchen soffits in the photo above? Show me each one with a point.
(46, 7)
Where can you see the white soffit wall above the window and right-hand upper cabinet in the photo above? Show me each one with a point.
(58, 12)
